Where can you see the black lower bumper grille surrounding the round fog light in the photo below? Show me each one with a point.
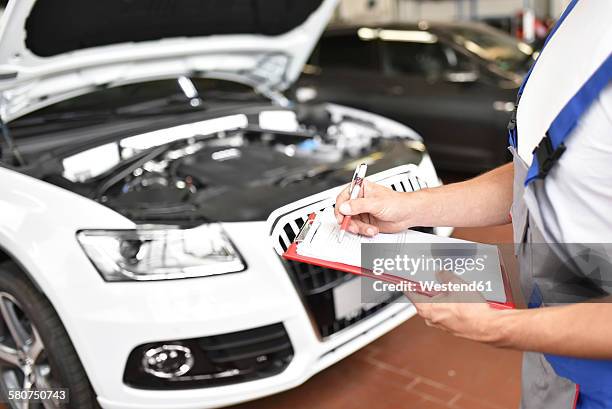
(219, 359)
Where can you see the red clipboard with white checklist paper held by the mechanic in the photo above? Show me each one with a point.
(317, 244)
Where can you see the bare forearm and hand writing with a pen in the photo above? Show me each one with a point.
(482, 201)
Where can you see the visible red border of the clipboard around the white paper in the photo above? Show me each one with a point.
(291, 254)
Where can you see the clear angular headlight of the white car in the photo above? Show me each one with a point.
(146, 254)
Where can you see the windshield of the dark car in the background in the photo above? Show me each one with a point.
(494, 46)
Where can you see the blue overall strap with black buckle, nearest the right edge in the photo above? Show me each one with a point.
(551, 147)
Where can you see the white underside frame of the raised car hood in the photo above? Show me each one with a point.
(29, 82)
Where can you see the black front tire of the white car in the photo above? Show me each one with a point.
(59, 354)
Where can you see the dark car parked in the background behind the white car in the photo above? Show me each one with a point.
(455, 83)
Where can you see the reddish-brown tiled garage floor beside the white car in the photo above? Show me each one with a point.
(414, 367)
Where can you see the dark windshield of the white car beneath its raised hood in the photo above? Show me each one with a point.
(160, 97)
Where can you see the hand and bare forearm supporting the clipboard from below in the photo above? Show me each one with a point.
(580, 330)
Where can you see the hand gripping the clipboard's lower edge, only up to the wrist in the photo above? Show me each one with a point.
(466, 315)
